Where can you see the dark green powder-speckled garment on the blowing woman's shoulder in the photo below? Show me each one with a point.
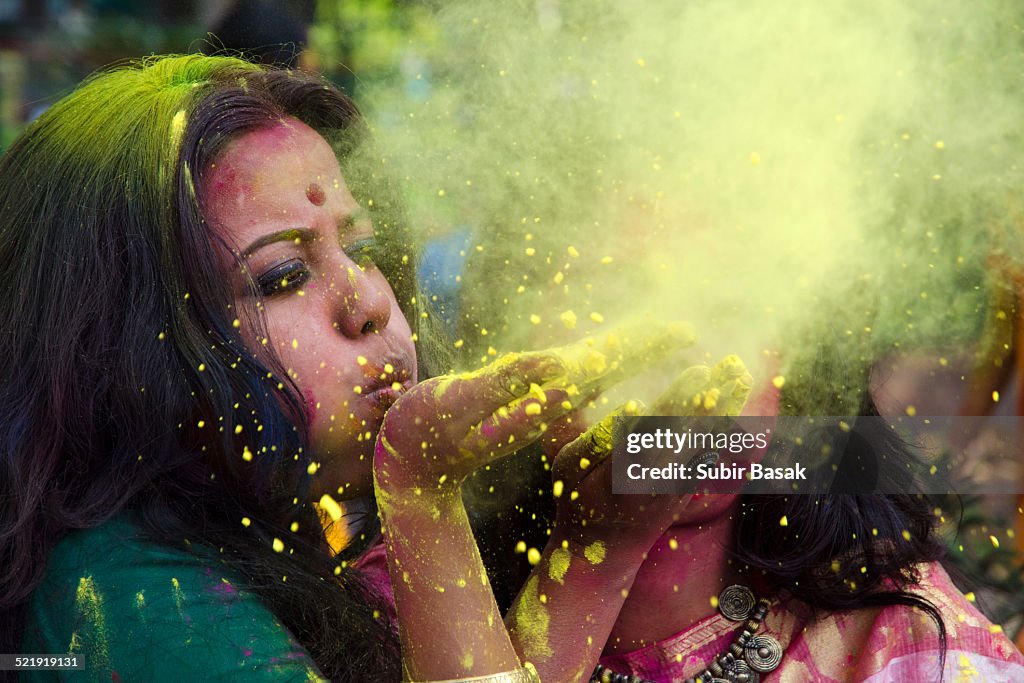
(140, 612)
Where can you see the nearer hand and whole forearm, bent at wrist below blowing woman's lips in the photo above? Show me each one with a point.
(437, 435)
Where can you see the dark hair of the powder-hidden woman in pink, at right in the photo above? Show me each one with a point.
(842, 551)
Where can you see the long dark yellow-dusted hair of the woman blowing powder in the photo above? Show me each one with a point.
(117, 343)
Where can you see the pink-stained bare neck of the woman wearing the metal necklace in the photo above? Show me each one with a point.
(685, 570)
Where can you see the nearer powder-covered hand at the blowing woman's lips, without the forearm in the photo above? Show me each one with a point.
(446, 428)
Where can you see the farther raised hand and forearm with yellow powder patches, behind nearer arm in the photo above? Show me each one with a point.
(601, 540)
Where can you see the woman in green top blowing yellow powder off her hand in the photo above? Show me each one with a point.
(204, 333)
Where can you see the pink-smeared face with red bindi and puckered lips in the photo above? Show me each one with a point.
(278, 198)
